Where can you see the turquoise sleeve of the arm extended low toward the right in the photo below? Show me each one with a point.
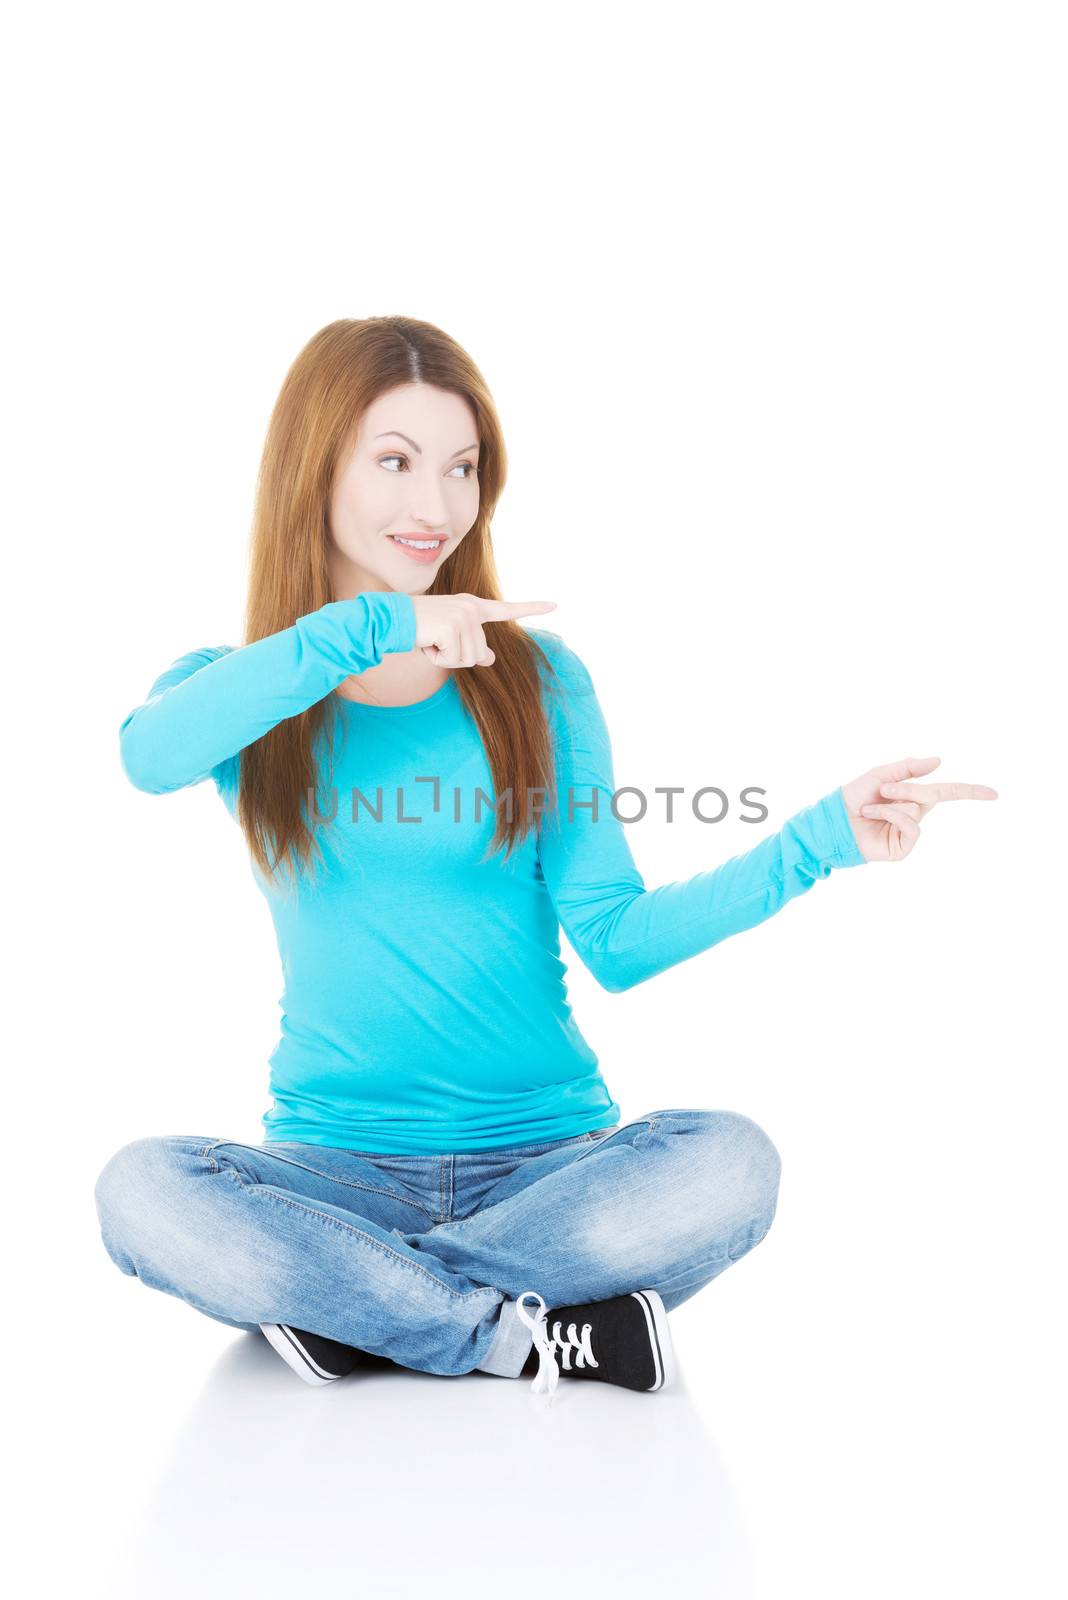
(624, 932)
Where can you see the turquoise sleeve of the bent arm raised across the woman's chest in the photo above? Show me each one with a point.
(210, 705)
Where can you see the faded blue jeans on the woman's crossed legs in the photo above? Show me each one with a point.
(421, 1258)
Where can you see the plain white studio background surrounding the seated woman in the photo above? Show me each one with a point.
(773, 305)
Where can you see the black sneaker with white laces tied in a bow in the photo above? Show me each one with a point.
(621, 1342)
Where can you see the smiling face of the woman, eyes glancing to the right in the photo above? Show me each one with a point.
(412, 471)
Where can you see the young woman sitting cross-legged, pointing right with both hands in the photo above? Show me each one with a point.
(424, 788)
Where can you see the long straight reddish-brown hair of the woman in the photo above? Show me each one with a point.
(332, 383)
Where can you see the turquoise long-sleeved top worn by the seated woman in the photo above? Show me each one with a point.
(426, 1004)
